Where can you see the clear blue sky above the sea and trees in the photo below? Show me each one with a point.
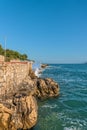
(53, 31)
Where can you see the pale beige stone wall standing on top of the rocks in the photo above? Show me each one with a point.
(12, 74)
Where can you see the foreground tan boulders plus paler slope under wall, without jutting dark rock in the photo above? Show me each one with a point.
(18, 109)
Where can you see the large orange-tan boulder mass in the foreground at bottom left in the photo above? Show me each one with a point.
(21, 115)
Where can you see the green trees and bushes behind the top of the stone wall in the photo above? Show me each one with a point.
(12, 54)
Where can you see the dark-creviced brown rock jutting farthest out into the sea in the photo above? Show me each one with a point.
(46, 88)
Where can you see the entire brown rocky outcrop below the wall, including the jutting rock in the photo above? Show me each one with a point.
(18, 108)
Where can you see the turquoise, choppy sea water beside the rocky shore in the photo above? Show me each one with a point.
(69, 110)
